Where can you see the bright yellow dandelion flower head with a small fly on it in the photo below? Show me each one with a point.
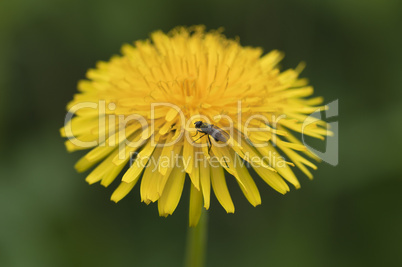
(192, 102)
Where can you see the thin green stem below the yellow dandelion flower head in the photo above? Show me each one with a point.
(197, 242)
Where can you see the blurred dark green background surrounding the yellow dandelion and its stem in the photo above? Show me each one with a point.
(349, 215)
